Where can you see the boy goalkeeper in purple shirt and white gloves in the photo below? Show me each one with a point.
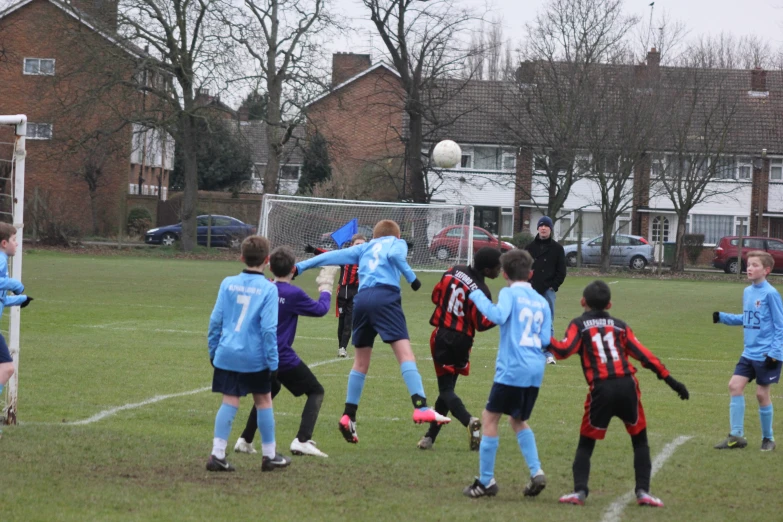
(292, 372)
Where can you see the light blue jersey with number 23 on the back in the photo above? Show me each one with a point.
(525, 324)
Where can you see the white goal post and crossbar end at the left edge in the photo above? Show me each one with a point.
(19, 122)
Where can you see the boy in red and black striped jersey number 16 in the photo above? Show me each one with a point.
(456, 320)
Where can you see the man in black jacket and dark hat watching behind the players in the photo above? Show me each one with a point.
(548, 268)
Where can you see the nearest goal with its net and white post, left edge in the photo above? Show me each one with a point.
(12, 157)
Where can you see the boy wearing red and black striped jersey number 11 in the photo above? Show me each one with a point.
(604, 344)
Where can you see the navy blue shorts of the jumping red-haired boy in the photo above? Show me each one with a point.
(378, 311)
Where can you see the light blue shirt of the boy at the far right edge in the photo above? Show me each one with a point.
(762, 318)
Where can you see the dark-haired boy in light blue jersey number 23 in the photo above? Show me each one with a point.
(525, 323)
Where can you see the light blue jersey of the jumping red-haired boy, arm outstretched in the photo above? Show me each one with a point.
(381, 261)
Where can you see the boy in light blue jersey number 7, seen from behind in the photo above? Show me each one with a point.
(243, 350)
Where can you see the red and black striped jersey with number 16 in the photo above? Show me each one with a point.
(453, 308)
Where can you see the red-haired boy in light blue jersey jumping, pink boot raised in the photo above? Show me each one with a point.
(377, 310)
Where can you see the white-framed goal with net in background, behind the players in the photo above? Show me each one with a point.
(434, 242)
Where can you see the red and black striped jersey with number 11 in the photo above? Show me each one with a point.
(604, 344)
